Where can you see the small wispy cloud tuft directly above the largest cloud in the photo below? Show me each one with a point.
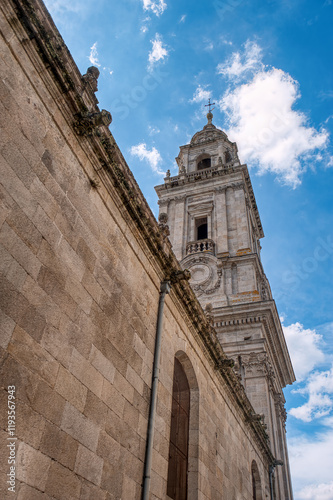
(239, 64)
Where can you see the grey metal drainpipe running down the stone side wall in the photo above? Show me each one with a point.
(164, 289)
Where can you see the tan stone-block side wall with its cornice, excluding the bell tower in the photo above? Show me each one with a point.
(82, 259)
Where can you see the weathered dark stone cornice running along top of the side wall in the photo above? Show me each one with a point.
(74, 99)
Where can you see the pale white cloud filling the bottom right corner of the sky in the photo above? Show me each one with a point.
(311, 460)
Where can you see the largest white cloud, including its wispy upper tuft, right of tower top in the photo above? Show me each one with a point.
(270, 133)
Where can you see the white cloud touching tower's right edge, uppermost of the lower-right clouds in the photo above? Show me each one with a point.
(304, 348)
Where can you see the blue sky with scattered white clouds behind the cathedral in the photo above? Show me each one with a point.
(268, 67)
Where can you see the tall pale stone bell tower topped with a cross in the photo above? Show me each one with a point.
(215, 230)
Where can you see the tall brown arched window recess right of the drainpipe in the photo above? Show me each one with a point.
(179, 435)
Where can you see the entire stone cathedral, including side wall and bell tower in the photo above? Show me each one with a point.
(140, 359)
